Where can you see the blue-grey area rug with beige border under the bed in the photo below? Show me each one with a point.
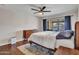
(33, 50)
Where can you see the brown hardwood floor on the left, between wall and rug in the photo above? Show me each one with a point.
(12, 49)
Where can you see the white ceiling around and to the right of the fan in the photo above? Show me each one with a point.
(57, 8)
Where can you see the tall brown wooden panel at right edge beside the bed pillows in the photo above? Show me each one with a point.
(77, 35)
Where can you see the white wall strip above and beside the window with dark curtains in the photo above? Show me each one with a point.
(73, 13)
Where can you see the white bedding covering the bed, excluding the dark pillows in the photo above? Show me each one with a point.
(48, 39)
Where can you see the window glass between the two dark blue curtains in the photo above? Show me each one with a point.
(56, 25)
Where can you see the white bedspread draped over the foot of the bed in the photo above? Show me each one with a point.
(46, 38)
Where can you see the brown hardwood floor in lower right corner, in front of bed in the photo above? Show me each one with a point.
(66, 51)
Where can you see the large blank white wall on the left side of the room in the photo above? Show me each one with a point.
(15, 18)
